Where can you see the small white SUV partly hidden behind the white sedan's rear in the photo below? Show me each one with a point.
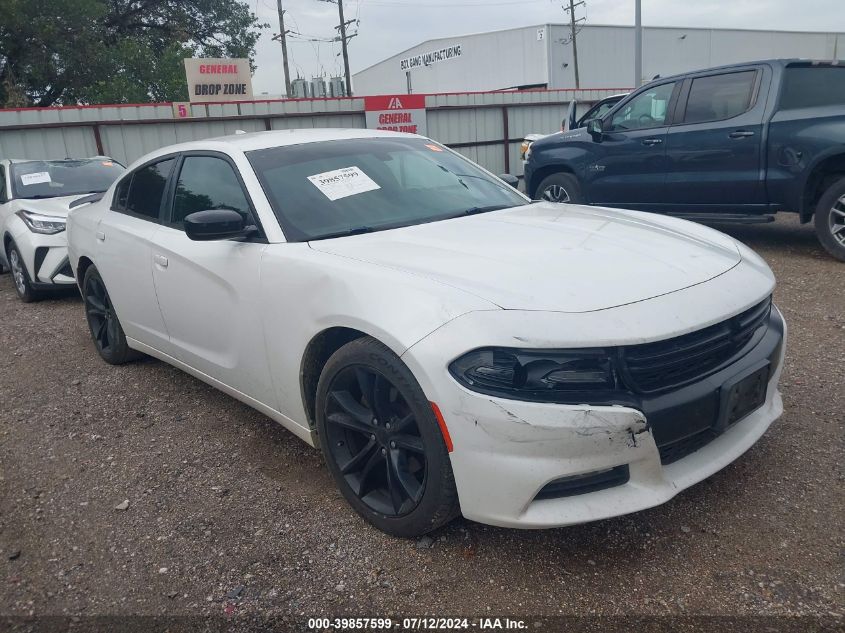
(35, 197)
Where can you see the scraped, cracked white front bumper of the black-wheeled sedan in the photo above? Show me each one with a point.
(508, 454)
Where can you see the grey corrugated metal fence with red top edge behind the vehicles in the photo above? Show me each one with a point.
(486, 127)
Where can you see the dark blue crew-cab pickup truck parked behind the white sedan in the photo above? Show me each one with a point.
(735, 143)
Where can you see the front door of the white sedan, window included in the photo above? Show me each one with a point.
(209, 292)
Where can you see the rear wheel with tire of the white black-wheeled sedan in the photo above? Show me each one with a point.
(105, 328)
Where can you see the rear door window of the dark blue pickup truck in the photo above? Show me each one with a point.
(720, 97)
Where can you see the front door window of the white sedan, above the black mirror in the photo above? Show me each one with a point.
(205, 183)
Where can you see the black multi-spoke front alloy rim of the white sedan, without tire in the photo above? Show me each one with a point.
(374, 439)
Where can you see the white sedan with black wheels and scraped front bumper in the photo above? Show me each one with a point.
(452, 347)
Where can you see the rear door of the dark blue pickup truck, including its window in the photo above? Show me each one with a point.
(713, 152)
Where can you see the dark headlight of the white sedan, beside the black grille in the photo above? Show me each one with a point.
(539, 375)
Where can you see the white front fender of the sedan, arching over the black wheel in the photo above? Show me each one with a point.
(305, 292)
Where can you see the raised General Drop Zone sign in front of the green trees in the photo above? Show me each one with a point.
(218, 80)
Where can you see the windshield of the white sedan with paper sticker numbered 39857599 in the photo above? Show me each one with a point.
(334, 188)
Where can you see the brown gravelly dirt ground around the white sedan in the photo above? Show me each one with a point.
(229, 513)
